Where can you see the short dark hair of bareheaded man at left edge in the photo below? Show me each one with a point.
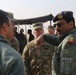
(3, 18)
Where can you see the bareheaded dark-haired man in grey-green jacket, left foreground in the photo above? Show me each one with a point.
(11, 62)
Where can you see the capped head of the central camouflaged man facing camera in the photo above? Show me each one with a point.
(38, 29)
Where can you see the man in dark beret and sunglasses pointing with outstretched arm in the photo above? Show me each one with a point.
(65, 56)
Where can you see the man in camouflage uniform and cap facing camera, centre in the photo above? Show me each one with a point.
(38, 59)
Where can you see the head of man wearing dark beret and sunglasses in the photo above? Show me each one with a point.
(64, 21)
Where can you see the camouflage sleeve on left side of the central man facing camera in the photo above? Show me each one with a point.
(26, 59)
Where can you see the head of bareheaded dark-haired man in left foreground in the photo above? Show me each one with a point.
(6, 28)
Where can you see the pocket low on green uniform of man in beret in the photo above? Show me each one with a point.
(66, 66)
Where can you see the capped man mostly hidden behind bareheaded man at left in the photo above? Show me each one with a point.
(14, 42)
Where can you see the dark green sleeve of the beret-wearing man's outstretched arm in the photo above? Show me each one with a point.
(51, 39)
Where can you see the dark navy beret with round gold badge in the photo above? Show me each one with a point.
(66, 15)
